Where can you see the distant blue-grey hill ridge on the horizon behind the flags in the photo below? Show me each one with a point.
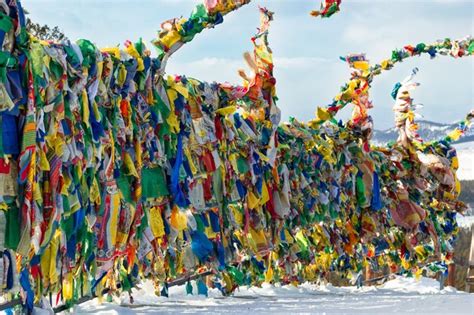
(428, 131)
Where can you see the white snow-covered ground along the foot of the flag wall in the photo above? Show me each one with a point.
(398, 296)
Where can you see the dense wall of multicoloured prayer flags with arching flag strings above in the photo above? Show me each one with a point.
(112, 172)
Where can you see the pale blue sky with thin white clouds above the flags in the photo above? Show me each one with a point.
(306, 50)
